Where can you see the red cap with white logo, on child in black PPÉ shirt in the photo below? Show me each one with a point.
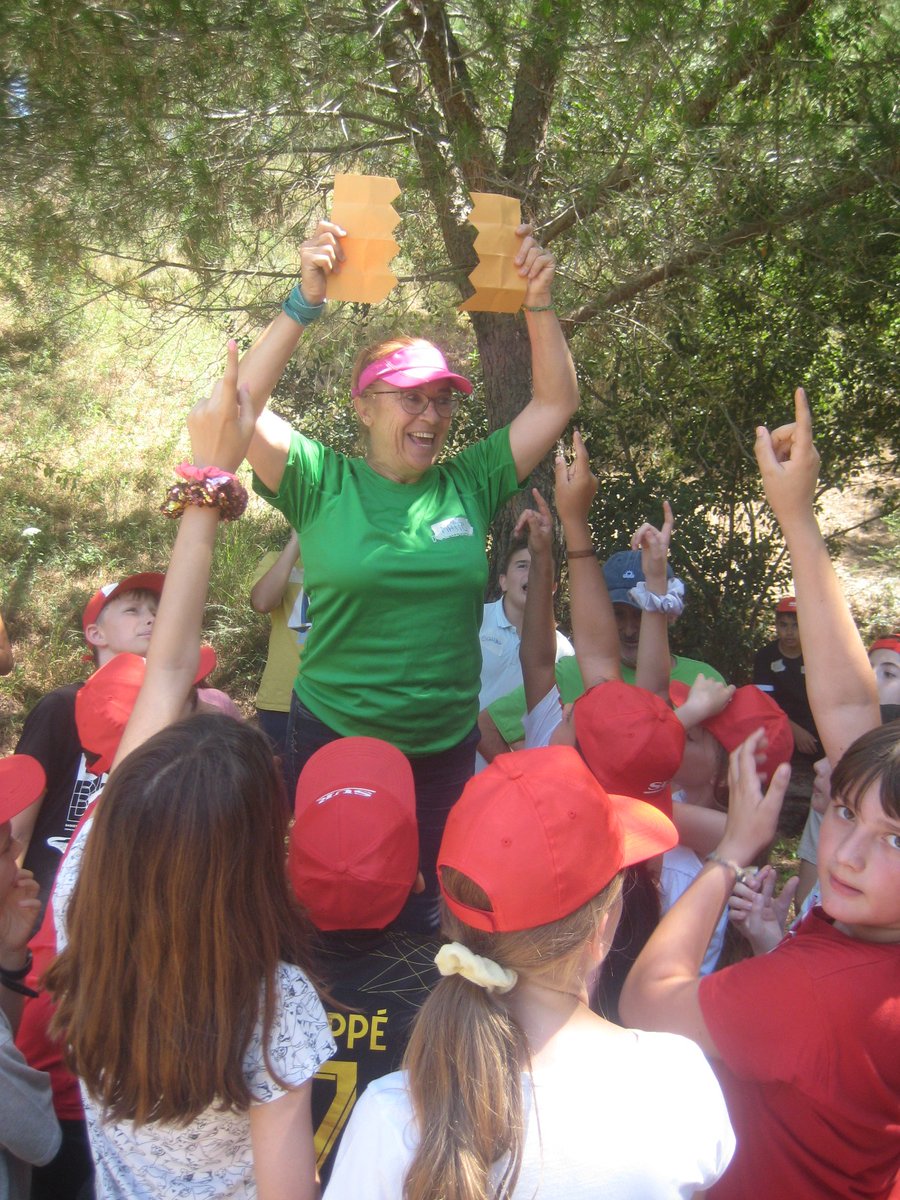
(353, 853)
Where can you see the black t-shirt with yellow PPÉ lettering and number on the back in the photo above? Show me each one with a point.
(383, 979)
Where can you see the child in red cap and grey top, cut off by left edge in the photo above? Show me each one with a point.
(29, 1133)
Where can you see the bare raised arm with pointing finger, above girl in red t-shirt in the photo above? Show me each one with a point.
(841, 685)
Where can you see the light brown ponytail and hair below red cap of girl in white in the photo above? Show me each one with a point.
(466, 1053)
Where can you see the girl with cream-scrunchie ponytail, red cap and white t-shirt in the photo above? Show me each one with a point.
(500, 1091)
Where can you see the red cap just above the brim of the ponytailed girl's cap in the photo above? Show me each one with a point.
(632, 741)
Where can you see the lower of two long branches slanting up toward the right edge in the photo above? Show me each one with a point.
(680, 265)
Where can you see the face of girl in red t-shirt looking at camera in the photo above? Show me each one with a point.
(860, 868)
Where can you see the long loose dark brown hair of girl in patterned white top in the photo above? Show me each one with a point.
(177, 925)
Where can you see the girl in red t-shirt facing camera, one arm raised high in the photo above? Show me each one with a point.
(807, 1039)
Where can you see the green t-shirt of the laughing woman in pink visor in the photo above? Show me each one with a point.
(397, 575)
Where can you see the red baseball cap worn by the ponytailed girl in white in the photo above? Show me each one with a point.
(541, 837)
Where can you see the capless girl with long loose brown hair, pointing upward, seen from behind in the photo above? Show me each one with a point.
(196, 1069)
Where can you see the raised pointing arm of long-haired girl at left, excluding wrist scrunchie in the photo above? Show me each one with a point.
(221, 429)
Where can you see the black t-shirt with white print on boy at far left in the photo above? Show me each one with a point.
(51, 736)
